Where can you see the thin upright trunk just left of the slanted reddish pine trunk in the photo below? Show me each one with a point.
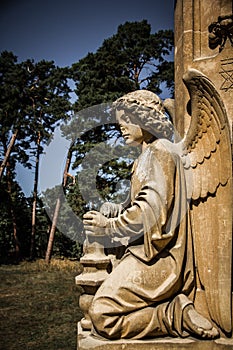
(35, 188)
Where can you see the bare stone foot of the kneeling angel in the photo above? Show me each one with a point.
(196, 324)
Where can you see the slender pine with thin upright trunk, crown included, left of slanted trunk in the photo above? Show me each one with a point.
(47, 102)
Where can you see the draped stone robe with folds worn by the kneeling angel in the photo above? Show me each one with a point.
(144, 296)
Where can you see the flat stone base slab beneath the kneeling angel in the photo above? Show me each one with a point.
(87, 342)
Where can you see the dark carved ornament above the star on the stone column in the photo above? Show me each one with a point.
(219, 32)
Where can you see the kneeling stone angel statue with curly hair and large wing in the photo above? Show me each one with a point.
(175, 276)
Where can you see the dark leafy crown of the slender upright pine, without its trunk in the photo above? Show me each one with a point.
(46, 97)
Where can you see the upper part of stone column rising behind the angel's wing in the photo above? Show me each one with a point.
(193, 50)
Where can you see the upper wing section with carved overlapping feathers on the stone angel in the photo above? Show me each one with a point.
(207, 138)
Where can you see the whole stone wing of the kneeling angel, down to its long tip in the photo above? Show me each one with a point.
(207, 158)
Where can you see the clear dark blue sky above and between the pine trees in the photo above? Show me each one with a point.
(65, 31)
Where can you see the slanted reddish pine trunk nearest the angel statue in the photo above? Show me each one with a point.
(57, 207)
